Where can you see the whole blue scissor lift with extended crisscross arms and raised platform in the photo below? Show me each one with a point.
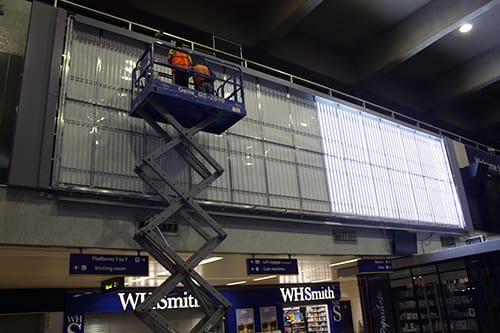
(186, 111)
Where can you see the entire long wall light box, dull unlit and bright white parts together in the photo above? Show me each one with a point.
(289, 152)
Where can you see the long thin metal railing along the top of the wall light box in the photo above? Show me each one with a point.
(279, 73)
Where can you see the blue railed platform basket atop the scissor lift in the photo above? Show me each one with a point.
(153, 85)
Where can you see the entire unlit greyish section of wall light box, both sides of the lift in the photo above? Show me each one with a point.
(110, 142)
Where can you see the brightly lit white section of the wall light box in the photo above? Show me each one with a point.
(385, 171)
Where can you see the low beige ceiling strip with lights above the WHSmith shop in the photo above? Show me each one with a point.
(26, 267)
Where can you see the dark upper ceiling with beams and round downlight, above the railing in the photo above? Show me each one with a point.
(406, 55)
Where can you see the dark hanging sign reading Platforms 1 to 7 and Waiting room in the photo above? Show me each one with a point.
(108, 264)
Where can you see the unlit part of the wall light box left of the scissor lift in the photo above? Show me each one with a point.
(98, 143)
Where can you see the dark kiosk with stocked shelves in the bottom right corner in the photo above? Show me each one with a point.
(465, 280)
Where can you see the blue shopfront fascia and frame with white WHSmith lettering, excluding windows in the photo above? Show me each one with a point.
(77, 305)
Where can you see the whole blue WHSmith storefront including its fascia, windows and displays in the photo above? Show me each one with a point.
(290, 309)
